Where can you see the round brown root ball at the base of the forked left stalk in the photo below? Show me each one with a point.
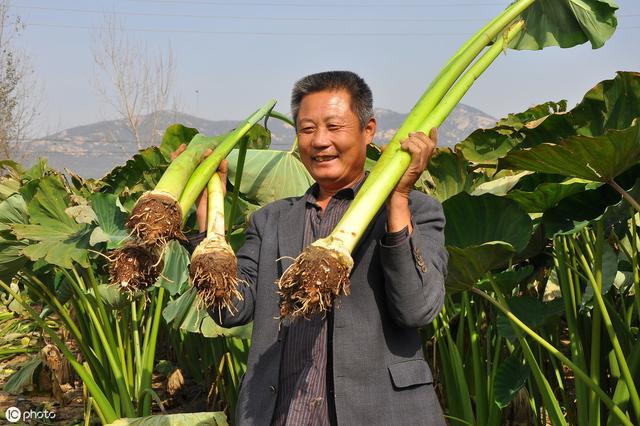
(156, 219)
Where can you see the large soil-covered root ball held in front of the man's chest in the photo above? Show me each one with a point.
(312, 283)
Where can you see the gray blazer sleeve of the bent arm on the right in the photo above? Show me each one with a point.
(415, 269)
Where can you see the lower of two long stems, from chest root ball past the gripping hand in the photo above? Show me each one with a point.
(388, 170)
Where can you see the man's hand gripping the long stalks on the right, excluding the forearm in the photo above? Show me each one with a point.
(421, 147)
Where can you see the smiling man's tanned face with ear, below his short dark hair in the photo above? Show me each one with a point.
(331, 143)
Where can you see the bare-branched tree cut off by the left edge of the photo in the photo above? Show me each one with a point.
(18, 96)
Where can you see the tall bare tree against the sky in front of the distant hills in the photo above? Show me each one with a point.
(135, 82)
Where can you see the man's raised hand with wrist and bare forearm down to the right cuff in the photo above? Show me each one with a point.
(421, 147)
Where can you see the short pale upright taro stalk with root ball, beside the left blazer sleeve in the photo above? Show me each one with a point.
(213, 263)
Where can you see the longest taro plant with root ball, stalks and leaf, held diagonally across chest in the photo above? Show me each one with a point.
(322, 270)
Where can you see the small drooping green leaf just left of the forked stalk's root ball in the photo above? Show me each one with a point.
(110, 219)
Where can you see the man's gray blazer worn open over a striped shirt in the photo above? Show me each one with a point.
(380, 376)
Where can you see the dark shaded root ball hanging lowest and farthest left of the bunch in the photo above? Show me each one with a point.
(134, 268)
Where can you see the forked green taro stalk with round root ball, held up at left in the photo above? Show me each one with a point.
(158, 215)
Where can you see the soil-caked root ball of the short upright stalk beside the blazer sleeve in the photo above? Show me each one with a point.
(214, 276)
